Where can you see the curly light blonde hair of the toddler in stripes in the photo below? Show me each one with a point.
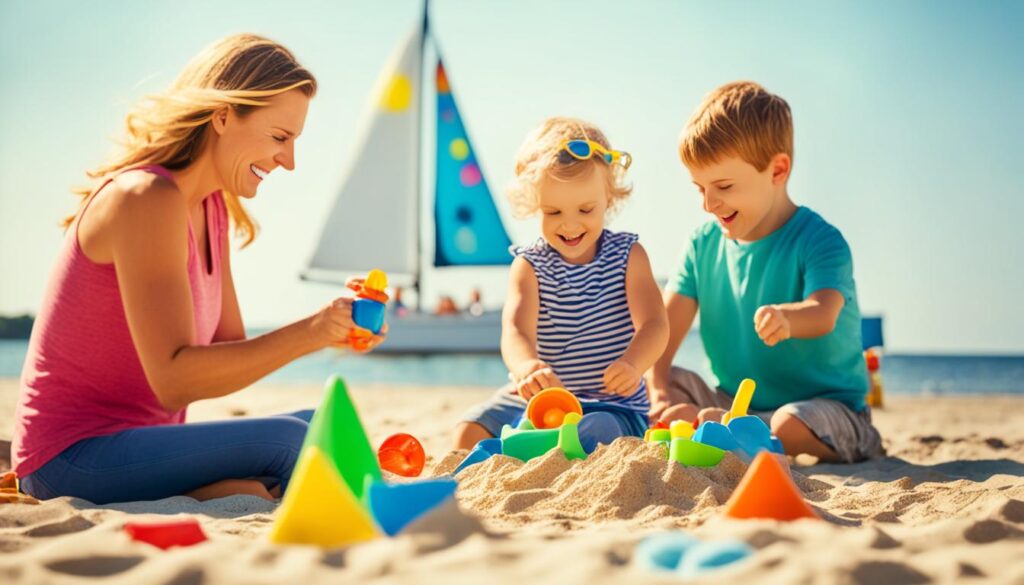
(540, 156)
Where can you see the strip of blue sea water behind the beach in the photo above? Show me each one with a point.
(902, 374)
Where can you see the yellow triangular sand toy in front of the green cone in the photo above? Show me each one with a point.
(319, 508)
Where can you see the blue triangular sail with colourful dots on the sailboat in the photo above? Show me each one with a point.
(468, 231)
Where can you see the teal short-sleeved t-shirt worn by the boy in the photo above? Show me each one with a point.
(731, 280)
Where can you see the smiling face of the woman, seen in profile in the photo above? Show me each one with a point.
(250, 147)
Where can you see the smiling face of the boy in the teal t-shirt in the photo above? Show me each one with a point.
(744, 200)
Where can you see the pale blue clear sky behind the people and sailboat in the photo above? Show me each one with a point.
(909, 117)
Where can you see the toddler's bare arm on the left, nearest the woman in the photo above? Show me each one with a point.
(520, 316)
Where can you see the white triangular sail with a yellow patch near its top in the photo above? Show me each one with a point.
(374, 223)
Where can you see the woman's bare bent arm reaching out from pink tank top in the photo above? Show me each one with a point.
(148, 230)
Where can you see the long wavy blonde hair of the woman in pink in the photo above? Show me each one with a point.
(172, 129)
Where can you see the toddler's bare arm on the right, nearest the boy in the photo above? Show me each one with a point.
(650, 318)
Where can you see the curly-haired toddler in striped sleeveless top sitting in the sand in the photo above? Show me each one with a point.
(583, 310)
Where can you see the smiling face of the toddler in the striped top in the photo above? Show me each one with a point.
(573, 215)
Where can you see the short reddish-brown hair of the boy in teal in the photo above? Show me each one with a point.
(741, 119)
